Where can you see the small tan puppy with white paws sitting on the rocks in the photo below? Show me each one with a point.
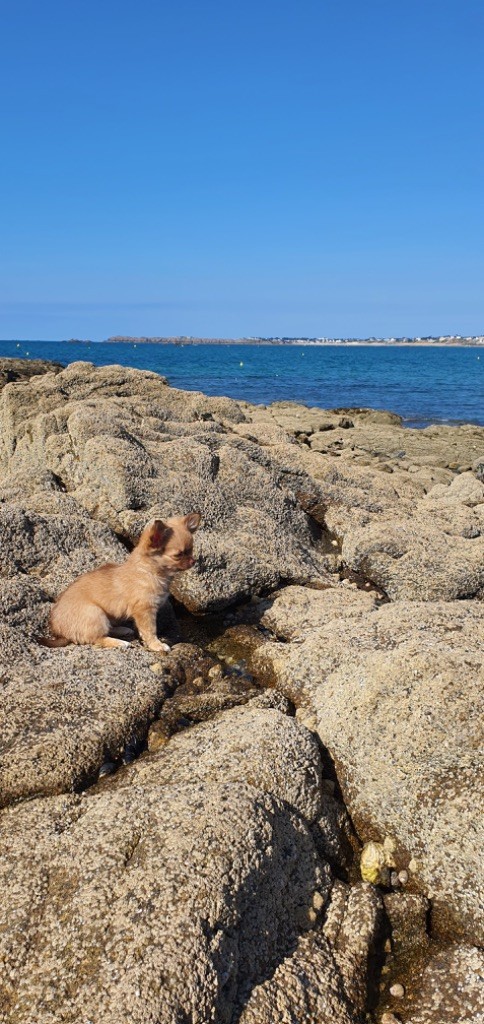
(87, 612)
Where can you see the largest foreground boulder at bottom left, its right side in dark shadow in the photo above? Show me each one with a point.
(173, 893)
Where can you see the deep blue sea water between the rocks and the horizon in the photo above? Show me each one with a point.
(423, 385)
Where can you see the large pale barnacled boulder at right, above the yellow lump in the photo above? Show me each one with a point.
(417, 776)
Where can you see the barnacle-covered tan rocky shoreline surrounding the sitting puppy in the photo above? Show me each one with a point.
(182, 836)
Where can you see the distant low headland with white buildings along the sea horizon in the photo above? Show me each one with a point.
(183, 340)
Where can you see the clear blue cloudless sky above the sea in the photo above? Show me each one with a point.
(206, 167)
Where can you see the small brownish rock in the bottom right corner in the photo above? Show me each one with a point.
(452, 989)
